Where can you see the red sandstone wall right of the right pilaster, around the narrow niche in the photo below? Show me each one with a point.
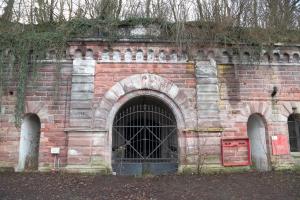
(247, 89)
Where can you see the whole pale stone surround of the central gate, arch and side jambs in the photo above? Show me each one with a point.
(144, 85)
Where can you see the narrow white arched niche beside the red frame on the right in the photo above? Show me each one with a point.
(257, 134)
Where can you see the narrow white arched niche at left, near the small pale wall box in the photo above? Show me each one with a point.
(29, 143)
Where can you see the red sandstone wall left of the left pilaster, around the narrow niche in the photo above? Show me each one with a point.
(49, 104)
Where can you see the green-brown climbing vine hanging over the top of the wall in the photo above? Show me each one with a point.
(22, 46)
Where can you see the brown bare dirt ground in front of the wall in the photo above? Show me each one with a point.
(254, 186)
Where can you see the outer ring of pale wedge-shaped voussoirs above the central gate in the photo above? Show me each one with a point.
(140, 82)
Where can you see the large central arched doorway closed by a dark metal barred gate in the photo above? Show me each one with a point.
(144, 138)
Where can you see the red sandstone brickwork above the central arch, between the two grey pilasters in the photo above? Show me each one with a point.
(108, 74)
